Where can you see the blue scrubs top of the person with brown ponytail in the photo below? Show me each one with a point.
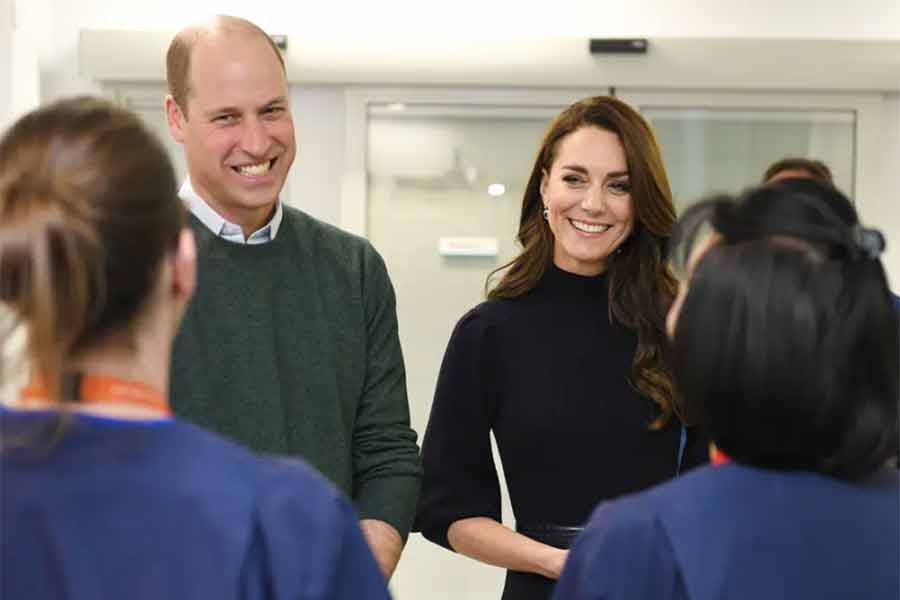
(118, 509)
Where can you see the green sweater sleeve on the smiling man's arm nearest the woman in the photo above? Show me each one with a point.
(386, 465)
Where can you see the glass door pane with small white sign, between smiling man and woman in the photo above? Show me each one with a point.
(445, 174)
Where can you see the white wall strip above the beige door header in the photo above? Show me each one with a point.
(363, 20)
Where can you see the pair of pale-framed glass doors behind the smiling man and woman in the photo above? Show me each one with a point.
(435, 180)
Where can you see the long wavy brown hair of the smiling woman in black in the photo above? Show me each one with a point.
(642, 286)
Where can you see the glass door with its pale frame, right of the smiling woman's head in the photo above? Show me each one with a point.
(715, 142)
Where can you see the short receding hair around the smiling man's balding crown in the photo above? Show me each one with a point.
(178, 57)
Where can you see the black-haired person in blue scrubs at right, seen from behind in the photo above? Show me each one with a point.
(787, 354)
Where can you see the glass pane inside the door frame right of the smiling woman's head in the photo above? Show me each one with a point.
(711, 150)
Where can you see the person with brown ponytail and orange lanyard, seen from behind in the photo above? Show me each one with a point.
(103, 494)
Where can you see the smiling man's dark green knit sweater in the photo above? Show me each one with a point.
(291, 347)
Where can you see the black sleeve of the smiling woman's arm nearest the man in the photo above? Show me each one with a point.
(460, 477)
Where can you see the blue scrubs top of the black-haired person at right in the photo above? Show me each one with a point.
(742, 533)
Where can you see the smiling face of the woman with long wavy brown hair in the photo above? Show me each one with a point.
(587, 195)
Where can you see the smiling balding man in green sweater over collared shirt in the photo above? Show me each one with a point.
(290, 345)
